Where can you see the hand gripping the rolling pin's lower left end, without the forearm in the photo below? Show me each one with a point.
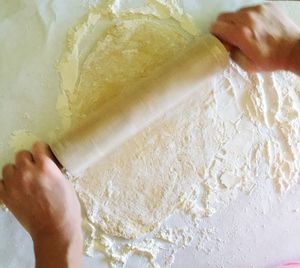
(40, 197)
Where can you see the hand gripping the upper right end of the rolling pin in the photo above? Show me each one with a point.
(260, 38)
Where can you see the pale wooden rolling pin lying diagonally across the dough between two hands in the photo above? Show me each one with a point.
(125, 116)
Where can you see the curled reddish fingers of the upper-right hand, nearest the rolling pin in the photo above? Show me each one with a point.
(239, 36)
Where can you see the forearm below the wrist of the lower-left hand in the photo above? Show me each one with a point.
(54, 252)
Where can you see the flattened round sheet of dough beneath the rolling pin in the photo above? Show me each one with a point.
(131, 50)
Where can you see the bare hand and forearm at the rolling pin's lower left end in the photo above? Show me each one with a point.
(46, 205)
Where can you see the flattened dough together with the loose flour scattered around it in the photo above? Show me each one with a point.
(237, 130)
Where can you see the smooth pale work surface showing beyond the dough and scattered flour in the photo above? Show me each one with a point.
(257, 230)
